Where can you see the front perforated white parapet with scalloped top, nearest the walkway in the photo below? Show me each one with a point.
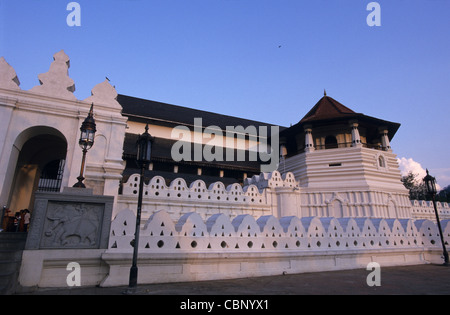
(267, 233)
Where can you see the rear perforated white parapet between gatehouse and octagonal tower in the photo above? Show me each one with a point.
(179, 198)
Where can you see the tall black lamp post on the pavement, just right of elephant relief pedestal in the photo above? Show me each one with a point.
(144, 151)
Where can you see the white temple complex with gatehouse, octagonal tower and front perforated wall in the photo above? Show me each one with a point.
(274, 191)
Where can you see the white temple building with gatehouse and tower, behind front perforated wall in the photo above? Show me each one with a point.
(342, 161)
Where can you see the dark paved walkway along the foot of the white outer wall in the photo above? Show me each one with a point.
(405, 280)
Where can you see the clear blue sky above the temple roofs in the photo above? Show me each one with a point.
(225, 56)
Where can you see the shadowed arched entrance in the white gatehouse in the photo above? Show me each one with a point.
(40, 165)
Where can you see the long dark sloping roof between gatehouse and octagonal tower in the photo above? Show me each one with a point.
(172, 115)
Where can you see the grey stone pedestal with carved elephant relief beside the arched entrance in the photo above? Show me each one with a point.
(73, 219)
